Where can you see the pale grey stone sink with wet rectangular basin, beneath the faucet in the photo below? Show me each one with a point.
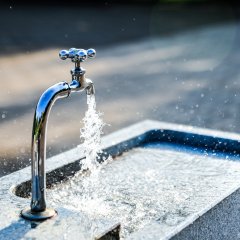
(164, 181)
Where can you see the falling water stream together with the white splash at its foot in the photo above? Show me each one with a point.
(87, 200)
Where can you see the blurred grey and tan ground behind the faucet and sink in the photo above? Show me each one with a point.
(173, 61)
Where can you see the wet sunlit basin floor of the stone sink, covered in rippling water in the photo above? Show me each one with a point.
(159, 182)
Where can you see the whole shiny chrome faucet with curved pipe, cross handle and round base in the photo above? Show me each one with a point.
(38, 210)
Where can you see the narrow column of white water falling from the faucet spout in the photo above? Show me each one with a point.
(91, 135)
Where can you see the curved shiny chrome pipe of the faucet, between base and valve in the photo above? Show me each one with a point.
(38, 152)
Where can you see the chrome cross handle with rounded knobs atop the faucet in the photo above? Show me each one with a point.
(77, 55)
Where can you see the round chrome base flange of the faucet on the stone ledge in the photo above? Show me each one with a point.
(38, 216)
